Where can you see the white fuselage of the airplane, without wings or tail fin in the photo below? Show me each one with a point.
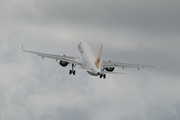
(88, 57)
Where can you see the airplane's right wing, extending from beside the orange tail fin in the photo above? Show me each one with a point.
(106, 64)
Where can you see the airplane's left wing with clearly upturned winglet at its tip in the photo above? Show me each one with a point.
(69, 59)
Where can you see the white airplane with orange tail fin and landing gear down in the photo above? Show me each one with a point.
(88, 61)
